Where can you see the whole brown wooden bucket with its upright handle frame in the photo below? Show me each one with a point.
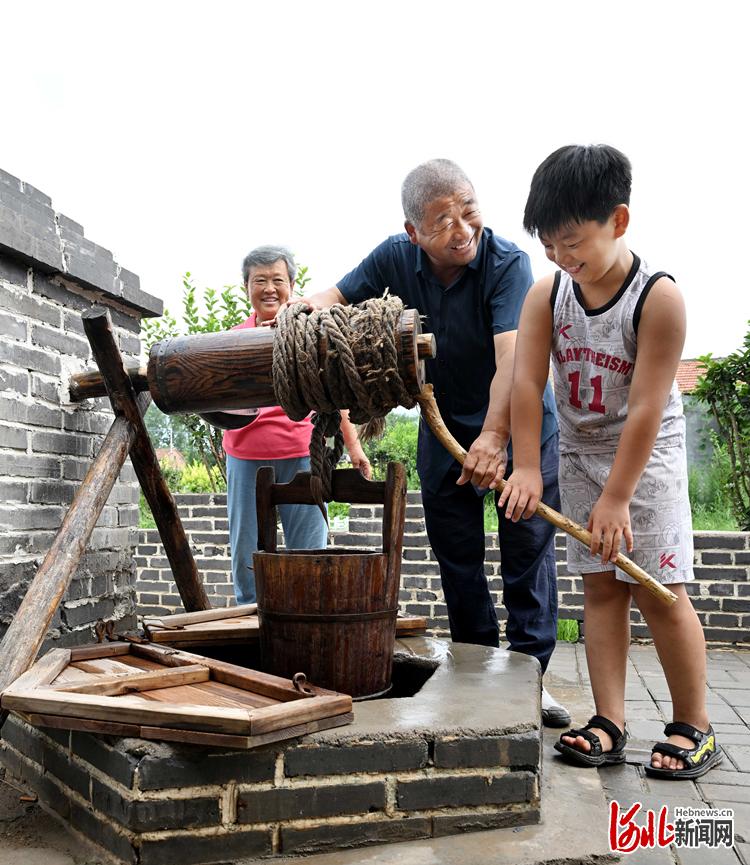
(330, 614)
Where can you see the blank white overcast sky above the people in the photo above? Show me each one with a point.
(183, 134)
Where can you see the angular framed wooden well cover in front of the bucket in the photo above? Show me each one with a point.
(155, 692)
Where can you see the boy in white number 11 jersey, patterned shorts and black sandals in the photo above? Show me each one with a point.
(615, 331)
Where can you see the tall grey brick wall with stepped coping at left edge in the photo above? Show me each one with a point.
(49, 274)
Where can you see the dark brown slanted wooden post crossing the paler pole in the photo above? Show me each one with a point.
(98, 327)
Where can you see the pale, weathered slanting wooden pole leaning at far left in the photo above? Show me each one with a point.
(26, 632)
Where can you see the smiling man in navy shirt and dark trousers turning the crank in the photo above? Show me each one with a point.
(470, 284)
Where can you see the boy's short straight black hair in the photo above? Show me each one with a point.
(575, 184)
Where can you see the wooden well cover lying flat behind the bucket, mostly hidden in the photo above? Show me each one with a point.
(234, 625)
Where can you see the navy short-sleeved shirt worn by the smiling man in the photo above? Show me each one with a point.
(464, 317)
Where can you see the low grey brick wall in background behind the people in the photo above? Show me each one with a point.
(720, 592)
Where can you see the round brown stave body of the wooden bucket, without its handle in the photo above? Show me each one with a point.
(330, 614)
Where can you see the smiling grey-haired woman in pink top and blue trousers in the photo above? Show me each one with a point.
(270, 438)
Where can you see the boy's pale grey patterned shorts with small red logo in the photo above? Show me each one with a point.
(660, 516)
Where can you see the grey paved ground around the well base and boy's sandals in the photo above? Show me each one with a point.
(574, 810)
